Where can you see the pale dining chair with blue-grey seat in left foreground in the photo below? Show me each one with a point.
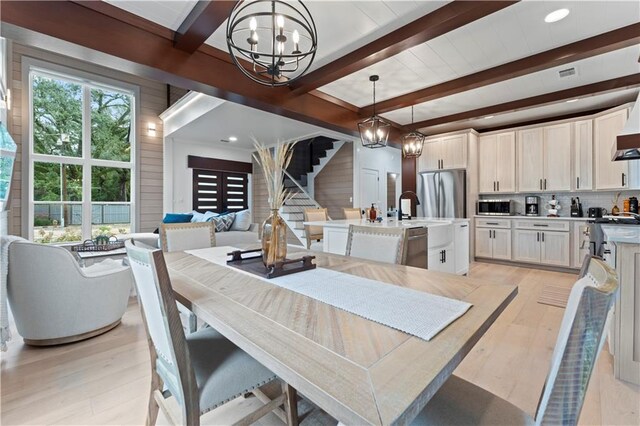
(202, 370)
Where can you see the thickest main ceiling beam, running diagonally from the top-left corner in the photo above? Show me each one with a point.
(119, 44)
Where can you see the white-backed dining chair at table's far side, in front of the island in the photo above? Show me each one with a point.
(387, 245)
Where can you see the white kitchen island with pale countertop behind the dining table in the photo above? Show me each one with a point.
(447, 239)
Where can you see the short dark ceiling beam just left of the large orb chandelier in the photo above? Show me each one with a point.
(203, 20)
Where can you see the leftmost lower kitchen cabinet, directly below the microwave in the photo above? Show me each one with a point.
(493, 238)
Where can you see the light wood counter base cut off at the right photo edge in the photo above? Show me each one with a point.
(623, 242)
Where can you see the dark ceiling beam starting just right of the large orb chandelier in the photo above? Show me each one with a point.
(441, 21)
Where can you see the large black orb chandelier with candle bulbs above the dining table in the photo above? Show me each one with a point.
(273, 42)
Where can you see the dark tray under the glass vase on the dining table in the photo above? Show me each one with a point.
(253, 264)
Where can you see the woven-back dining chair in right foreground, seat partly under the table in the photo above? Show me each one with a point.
(579, 342)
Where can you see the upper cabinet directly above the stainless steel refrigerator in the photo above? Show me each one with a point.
(448, 152)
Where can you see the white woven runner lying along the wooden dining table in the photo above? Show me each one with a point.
(414, 312)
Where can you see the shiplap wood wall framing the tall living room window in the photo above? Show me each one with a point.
(153, 100)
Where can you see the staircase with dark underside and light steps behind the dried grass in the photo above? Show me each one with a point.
(309, 158)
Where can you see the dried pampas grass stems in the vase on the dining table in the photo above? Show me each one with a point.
(273, 167)
